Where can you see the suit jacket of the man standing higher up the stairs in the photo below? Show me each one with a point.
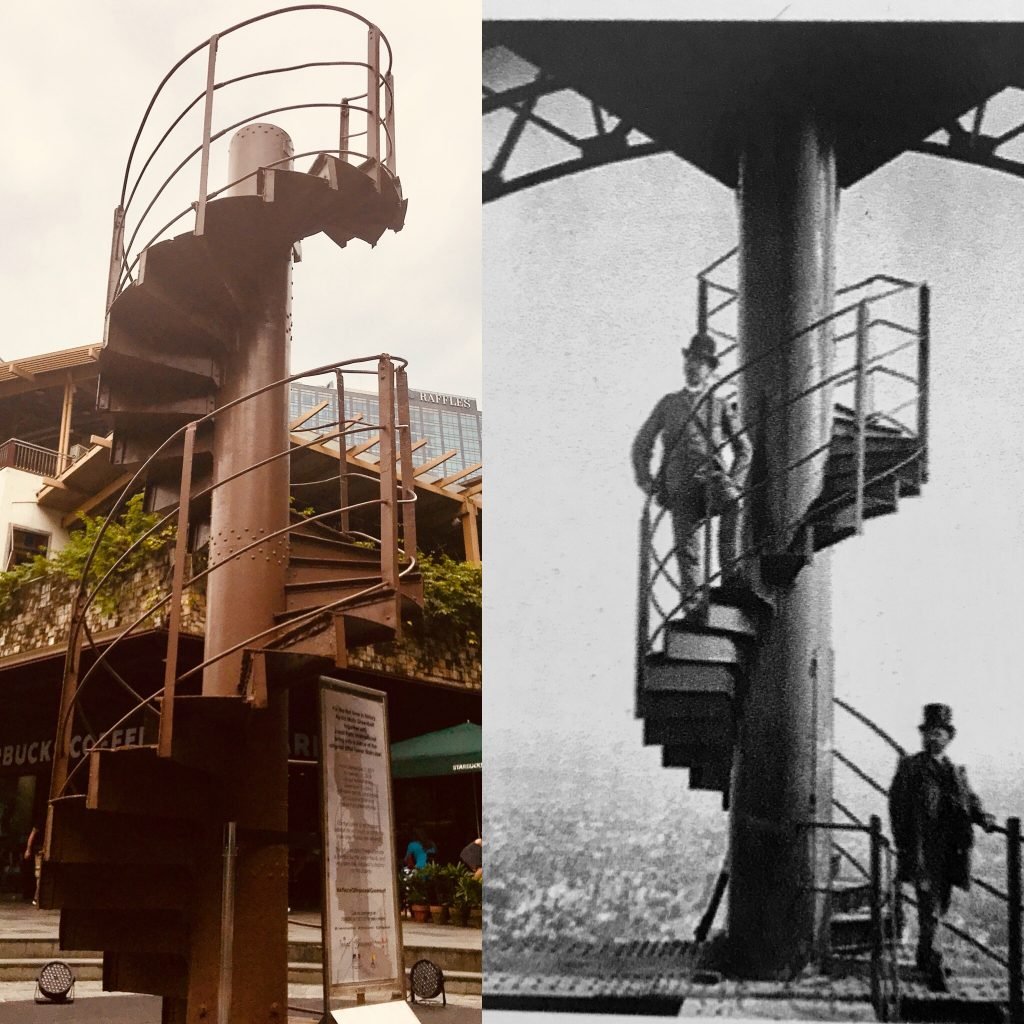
(693, 446)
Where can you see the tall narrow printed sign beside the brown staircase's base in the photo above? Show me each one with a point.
(362, 934)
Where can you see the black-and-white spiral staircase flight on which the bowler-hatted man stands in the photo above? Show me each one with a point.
(694, 648)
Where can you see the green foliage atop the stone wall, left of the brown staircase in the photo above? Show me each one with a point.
(69, 564)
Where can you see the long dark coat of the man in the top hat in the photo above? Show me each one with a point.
(917, 847)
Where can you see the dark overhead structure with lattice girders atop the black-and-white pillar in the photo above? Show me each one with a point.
(700, 89)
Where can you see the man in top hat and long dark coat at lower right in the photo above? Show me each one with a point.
(933, 812)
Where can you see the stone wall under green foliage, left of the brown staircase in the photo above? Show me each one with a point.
(38, 615)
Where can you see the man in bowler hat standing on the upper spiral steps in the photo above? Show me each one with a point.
(697, 426)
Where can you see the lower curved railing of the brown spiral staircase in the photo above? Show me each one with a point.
(402, 575)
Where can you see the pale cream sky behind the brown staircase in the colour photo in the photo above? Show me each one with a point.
(76, 78)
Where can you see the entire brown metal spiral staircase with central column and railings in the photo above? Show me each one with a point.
(197, 333)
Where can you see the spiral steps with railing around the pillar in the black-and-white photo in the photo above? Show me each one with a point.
(870, 458)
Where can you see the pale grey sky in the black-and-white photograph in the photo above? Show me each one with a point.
(590, 291)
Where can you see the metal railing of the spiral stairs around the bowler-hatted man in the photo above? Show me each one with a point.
(886, 390)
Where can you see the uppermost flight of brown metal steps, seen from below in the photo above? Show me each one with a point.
(172, 326)
